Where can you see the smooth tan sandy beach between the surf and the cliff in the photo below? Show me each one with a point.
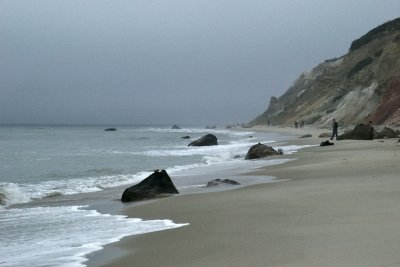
(335, 206)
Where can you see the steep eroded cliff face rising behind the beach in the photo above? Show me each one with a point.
(361, 86)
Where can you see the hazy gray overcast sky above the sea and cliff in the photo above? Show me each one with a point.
(171, 61)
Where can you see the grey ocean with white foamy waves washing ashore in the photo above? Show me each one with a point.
(60, 185)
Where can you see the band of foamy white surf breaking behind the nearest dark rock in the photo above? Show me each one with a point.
(214, 160)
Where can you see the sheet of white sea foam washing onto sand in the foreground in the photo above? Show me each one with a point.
(62, 236)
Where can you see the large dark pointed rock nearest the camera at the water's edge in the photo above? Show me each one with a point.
(156, 184)
